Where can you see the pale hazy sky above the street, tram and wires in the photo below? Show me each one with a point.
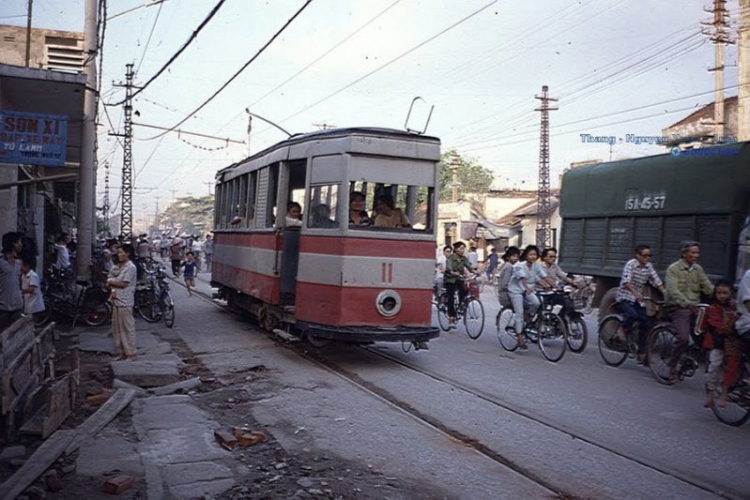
(618, 68)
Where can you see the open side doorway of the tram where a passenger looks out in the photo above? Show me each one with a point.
(289, 262)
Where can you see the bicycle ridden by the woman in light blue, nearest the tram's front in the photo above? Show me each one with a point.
(545, 328)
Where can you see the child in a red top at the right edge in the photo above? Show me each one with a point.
(719, 339)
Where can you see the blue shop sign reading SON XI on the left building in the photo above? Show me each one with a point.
(33, 138)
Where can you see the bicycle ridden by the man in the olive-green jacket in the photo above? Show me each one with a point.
(661, 344)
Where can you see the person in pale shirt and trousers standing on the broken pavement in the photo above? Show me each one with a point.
(122, 280)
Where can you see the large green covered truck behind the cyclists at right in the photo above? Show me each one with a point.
(607, 209)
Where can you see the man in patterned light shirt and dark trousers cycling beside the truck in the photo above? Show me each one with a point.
(637, 272)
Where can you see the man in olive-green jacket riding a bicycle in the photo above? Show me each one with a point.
(686, 281)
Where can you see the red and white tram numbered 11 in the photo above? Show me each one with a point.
(323, 276)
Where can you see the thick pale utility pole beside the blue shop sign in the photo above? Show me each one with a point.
(87, 174)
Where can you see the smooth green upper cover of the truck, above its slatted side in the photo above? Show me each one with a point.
(705, 180)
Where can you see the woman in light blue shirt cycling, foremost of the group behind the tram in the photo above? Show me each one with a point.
(527, 274)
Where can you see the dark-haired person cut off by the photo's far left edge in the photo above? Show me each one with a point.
(11, 299)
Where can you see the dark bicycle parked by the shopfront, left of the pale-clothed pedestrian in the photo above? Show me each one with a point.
(65, 296)
